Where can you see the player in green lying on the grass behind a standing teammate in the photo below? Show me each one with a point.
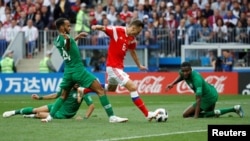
(67, 110)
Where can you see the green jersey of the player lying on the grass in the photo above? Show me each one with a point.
(71, 106)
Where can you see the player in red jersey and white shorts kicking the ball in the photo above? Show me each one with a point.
(123, 39)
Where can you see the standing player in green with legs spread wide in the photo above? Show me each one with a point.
(75, 72)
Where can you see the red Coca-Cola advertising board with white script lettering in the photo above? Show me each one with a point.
(155, 83)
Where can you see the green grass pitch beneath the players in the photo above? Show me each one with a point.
(97, 127)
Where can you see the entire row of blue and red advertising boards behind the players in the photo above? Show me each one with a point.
(147, 83)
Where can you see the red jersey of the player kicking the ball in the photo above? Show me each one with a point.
(120, 42)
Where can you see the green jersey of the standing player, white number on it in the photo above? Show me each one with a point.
(72, 58)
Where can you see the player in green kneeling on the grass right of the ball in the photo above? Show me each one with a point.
(206, 95)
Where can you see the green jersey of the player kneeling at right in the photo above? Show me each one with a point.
(200, 87)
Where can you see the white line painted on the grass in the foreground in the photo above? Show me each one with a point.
(152, 135)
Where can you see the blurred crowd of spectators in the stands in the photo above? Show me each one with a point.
(168, 23)
